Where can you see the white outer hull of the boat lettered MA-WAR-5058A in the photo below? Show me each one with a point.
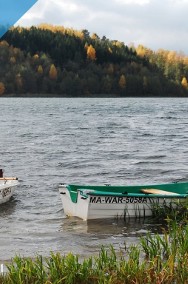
(90, 205)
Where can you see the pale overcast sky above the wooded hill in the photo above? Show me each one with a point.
(152, 23)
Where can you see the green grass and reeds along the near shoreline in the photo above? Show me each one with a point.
(157, 259)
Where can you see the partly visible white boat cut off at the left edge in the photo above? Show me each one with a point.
(7, 186)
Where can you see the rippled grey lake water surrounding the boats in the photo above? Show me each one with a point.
(46, 141)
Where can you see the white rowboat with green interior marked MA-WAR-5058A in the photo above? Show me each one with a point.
(99, 202)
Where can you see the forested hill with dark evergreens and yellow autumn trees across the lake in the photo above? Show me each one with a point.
(65, 62)
